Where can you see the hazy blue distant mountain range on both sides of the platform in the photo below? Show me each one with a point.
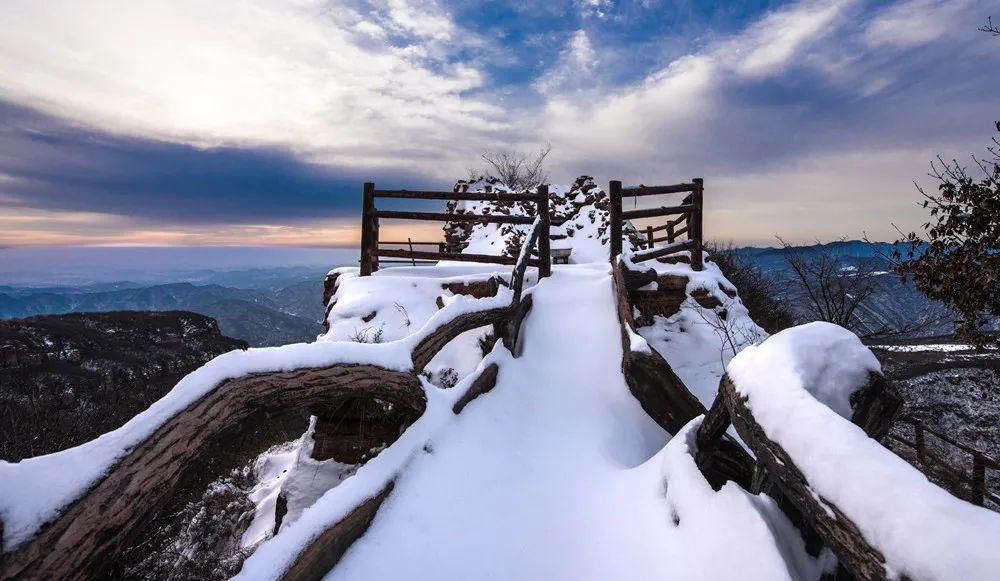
(278, 305)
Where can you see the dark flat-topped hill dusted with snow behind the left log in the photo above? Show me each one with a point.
(65, 379)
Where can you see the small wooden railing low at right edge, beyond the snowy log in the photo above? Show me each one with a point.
(928, 462)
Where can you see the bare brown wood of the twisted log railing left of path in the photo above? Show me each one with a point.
(89, 531)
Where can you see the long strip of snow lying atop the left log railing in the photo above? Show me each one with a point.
(35, 490)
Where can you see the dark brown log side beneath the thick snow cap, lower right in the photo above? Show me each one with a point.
(833, 526)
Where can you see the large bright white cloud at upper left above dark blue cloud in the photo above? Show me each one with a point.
(296, 74)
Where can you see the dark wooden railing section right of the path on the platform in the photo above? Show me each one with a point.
(688, 221)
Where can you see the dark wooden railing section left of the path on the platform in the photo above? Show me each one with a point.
(372, 250)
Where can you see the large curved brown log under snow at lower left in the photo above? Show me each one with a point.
(82, 542)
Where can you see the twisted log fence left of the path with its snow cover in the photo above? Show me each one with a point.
(66, 515)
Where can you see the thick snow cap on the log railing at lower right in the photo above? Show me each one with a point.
(923, 531)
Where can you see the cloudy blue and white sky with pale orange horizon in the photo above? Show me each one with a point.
(255, 122)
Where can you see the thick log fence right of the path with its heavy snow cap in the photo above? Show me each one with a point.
(811, 404)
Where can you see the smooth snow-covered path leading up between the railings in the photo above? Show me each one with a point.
(559, 474)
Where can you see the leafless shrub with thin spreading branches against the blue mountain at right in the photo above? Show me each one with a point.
(833, 292)
